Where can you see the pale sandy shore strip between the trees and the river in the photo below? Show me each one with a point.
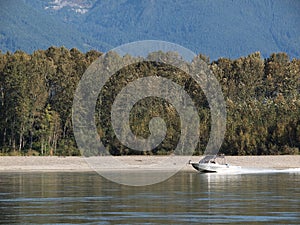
(79, 164)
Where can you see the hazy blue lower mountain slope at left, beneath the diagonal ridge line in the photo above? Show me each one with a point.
(26, 28)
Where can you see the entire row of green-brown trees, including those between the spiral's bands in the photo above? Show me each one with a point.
(37, 90)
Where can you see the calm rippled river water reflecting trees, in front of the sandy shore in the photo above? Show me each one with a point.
(185, 198)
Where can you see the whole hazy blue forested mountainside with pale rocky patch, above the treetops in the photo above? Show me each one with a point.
(214, 28)
